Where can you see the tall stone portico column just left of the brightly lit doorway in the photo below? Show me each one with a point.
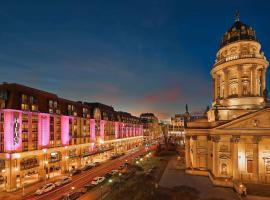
(234, 157)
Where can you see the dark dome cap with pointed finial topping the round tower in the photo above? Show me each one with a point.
(239, 31)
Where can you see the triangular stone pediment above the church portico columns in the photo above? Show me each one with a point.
(256, 120)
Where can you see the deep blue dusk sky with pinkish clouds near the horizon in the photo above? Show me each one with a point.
(139, 56)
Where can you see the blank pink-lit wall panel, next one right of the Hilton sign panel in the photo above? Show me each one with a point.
(43, 129)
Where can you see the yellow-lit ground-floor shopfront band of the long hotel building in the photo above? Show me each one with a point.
(20, 169)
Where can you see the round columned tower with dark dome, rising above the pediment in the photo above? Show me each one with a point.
(239, 73)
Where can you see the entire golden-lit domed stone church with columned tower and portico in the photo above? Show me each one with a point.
(233, 142)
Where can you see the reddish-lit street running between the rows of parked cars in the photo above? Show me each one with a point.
(78, 181)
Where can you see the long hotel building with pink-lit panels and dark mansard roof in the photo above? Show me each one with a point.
(41, 133)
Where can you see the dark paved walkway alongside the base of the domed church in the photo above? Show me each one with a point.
(177, 177)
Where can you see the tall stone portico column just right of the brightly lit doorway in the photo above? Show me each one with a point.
(256, 140)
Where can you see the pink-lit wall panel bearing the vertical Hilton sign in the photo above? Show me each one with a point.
(9, 125)
